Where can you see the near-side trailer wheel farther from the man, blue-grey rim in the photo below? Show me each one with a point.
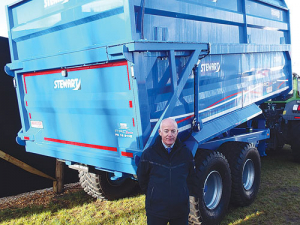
(245, 166)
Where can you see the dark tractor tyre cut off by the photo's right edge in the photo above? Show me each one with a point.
(295, 140)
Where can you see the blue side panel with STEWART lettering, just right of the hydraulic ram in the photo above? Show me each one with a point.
(220, 87)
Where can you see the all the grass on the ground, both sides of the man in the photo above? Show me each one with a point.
(277, 202)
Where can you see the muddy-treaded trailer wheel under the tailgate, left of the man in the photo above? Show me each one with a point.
(101, 185)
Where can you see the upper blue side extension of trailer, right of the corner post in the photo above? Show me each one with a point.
(215, 22)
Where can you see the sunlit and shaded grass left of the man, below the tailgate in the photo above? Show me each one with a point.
(79, 208)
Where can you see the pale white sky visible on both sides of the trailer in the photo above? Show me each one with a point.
(293, 5)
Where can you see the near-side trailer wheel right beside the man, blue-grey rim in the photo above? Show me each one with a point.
(214, 185)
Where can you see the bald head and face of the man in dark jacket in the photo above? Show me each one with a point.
(168, 132)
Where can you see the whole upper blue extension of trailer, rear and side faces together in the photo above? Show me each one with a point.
(49, 29)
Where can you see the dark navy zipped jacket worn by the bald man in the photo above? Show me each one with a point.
(166, 179)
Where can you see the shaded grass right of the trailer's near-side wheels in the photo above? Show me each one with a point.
(278, 199)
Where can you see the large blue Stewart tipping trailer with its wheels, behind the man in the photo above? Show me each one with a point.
(95, 78)
